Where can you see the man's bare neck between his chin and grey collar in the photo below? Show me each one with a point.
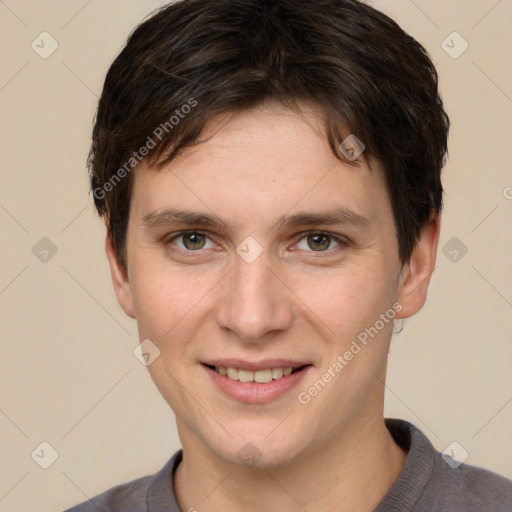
(352, 470)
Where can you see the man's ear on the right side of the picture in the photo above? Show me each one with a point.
(415, 275)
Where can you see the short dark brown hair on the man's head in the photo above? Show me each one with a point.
(195, 59)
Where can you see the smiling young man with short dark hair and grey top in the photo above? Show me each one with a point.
(269, 175)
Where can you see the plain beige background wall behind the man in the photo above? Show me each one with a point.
(68, 375)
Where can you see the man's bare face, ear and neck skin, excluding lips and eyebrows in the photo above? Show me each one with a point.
(293, 301)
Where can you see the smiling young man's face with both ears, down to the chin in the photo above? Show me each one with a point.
(257, 252)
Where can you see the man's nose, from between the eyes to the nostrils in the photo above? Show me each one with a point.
(255, 302)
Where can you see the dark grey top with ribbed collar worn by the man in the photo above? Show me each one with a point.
(427, 483)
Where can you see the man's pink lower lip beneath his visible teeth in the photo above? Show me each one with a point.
(255, 392)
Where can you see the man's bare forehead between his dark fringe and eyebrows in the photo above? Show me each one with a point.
(267, 160)
